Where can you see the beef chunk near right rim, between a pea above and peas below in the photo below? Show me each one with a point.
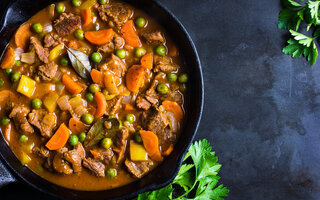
(164, 64)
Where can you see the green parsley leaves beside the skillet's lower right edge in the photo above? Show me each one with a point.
(199, 178)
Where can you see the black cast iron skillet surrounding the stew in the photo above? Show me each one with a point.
(11, 170)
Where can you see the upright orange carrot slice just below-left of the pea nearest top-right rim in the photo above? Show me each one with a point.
(130, 35)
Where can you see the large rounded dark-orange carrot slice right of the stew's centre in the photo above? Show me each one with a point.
(135, 78)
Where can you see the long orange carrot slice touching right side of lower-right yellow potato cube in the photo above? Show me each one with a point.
(151, 143)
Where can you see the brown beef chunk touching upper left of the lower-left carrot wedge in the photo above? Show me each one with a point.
(44, 121)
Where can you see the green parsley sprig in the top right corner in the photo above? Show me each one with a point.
(291, 17)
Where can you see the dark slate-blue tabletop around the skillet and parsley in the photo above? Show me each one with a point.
(262, 108)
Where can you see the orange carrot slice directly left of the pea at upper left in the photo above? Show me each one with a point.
(22, 36)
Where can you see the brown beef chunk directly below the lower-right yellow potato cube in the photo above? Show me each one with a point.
(138, 168)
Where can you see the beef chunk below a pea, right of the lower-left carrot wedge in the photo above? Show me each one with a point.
(75, 157)
